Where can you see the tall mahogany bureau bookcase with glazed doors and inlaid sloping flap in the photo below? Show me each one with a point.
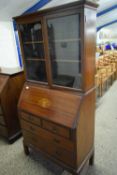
(57, 103)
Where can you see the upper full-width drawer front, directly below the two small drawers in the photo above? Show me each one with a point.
(47, 136)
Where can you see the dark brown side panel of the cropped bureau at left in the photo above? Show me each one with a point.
(9, 100)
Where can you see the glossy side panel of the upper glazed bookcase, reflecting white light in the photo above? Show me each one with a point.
(89, 49)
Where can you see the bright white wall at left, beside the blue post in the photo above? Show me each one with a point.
(8, 51)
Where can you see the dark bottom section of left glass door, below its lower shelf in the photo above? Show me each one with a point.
(36, 70)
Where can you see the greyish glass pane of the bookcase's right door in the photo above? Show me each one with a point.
(64, 47)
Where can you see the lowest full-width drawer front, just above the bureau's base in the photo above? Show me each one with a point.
(67, 157)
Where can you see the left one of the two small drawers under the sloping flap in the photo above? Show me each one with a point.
(31, 118)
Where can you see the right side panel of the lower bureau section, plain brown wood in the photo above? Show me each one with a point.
(85, 129)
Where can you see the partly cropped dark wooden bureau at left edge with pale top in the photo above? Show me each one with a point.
(11, 83)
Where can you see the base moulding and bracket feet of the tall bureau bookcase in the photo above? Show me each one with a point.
(89, 160)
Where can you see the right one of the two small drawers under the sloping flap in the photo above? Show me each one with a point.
(56, 129)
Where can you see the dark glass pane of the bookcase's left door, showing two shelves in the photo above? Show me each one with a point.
(33, 47)
